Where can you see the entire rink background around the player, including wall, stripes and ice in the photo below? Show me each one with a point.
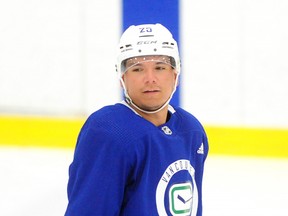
(57, 66)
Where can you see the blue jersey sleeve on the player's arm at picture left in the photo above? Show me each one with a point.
(98, 174)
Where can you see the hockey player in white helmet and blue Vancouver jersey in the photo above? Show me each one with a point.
(140, 156)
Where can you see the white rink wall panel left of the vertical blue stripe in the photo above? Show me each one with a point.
(58, 57)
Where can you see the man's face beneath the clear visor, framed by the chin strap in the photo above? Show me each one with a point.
(149, 81)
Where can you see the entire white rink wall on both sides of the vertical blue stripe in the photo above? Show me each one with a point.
(57, 58)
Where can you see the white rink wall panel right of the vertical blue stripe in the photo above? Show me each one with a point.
(235, 61)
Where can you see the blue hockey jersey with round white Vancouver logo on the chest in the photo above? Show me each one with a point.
(125, 165)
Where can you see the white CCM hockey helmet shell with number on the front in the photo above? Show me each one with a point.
(147, 40)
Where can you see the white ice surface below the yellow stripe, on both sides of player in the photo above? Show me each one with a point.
(33, 183)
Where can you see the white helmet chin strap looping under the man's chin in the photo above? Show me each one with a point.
(130, 101)
